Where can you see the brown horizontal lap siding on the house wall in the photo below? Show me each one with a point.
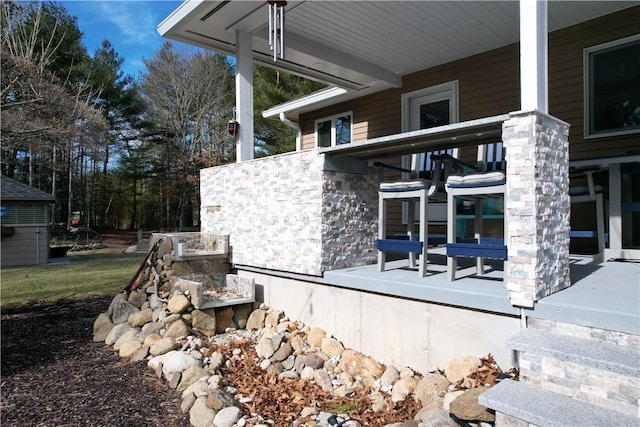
(489, 84)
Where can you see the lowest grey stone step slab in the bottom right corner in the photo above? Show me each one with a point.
(548, 409)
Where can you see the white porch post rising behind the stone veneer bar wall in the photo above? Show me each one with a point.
(244, 95)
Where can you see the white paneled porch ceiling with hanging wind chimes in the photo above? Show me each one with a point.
(368, 45)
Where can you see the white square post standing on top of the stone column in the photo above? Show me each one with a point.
(533, 56)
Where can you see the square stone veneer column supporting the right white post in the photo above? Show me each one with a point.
(537, 206)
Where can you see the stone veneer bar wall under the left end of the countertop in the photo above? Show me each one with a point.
(289, 213)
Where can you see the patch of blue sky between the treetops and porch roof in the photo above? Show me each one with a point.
(129, 25)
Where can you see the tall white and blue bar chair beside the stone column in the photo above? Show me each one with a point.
(488, 182)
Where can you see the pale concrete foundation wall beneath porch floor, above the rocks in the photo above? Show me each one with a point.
(394, 331)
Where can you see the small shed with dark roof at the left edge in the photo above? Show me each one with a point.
(24, 218)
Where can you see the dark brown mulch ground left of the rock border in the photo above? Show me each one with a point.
(54, 374)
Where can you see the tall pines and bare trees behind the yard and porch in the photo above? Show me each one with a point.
(120, 152)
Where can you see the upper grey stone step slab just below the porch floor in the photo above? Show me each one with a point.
(587, 352)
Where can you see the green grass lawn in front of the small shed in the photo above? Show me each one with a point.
(89, 274)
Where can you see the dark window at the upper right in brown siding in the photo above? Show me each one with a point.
(612, 88)
